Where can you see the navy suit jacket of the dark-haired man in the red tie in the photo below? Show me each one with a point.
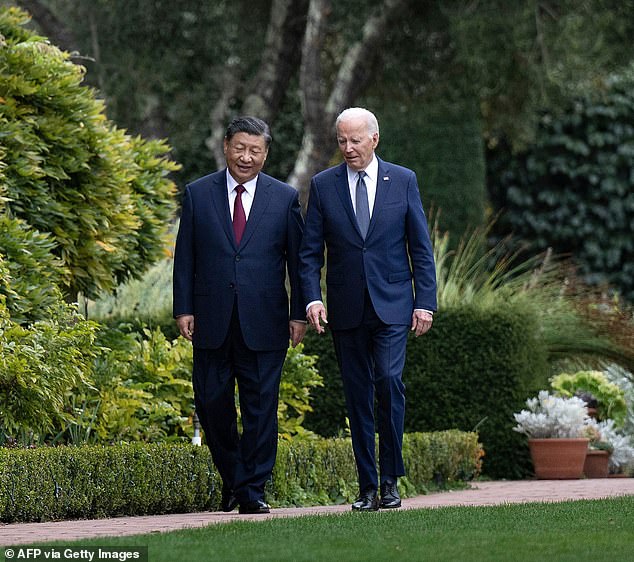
(210, 269)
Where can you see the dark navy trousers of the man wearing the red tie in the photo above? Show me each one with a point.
(245, 462)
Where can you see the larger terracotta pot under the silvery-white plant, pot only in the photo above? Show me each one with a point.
(557, 459)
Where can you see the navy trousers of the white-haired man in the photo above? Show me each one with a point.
(371, 359)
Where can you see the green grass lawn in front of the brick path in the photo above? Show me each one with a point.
(577, 531)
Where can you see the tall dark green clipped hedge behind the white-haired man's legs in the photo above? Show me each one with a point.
(472, 370)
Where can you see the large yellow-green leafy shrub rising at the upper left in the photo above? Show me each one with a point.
(102, 195)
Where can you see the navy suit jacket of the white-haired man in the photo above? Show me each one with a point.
(395, 261)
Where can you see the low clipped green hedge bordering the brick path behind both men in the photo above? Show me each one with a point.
(92, 482)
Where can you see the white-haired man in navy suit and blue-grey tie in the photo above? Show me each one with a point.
(380, 279)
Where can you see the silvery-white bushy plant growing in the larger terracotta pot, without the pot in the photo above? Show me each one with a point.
(550, 416)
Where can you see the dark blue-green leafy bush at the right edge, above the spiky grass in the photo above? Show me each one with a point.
(572, 190)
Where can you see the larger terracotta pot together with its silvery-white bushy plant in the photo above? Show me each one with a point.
(555, 428)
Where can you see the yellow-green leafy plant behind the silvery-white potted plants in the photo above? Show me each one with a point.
(610, 398)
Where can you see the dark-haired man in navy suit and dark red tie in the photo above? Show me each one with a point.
(239, 236)
